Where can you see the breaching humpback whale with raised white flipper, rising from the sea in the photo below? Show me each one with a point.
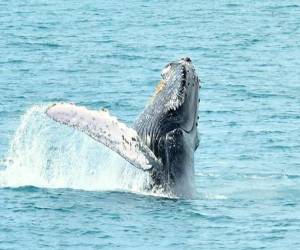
(162, 140)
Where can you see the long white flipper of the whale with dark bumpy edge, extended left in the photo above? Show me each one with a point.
(104, 128)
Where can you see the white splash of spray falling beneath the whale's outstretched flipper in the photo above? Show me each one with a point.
(44, 153)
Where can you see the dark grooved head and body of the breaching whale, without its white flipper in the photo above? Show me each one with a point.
(170, 130)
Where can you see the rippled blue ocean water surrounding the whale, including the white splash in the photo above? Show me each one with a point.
(61, 190)
